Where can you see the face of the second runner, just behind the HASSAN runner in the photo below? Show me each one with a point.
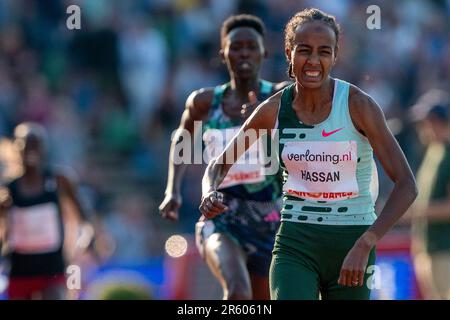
(243, 51)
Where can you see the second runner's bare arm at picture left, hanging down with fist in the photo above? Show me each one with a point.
(197, 108)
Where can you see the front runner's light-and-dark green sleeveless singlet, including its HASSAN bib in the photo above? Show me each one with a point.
(329, 174)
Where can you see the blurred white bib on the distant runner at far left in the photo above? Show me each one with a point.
(34, 229)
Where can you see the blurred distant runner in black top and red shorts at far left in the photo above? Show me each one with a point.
(34, 210)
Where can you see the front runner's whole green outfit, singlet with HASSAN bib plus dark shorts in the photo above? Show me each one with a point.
(329, 191)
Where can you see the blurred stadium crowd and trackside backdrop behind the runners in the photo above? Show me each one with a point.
(111, 94)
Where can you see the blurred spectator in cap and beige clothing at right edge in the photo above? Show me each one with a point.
(431, 215)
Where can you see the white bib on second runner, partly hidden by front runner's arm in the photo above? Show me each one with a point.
(247, 168)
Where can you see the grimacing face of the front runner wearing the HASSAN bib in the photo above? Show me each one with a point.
(313, 54)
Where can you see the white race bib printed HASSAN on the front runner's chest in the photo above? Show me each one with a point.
(321, 170)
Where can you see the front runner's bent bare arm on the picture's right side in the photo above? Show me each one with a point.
(369, 119)
